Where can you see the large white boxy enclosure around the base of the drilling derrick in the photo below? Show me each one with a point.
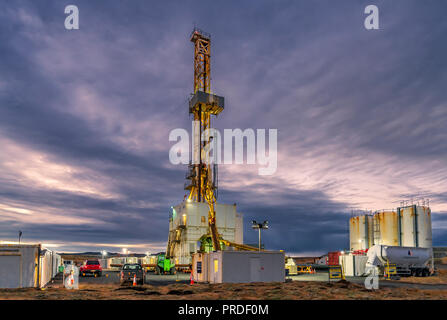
(189, 221)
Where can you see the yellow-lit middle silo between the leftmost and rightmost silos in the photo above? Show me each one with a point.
(386, 228)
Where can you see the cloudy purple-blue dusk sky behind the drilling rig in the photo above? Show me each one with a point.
(85, 116)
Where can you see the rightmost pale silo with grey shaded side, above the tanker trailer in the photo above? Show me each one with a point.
(415, 226)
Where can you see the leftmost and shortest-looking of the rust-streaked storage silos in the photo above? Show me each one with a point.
(360, 232)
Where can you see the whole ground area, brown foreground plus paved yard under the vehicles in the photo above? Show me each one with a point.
(178, 287)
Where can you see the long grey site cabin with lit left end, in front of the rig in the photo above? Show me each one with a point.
(239, 266)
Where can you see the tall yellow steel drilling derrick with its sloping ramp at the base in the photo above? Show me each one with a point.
(202, 174)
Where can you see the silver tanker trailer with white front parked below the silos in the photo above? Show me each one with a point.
(409, 261)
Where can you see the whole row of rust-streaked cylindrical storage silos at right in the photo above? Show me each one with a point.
(408, 226)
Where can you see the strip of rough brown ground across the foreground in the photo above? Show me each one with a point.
(270, 291)
